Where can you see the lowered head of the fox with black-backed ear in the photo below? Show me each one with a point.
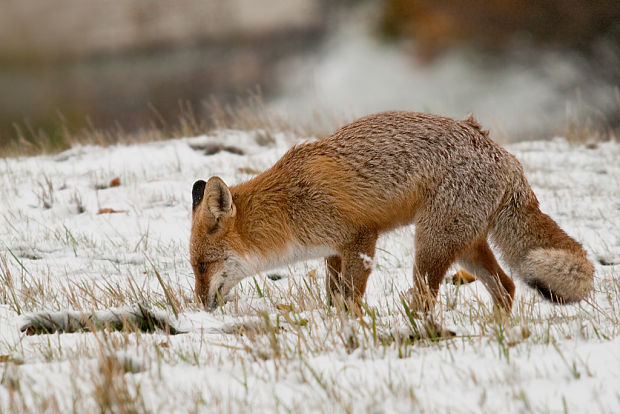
(215, 247)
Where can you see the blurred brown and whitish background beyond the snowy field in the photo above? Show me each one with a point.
(527, 69)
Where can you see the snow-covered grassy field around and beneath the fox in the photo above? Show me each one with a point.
(275, 347)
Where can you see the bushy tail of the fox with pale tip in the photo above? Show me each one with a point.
(541, 253)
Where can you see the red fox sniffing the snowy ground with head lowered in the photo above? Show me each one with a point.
(334, 196)
